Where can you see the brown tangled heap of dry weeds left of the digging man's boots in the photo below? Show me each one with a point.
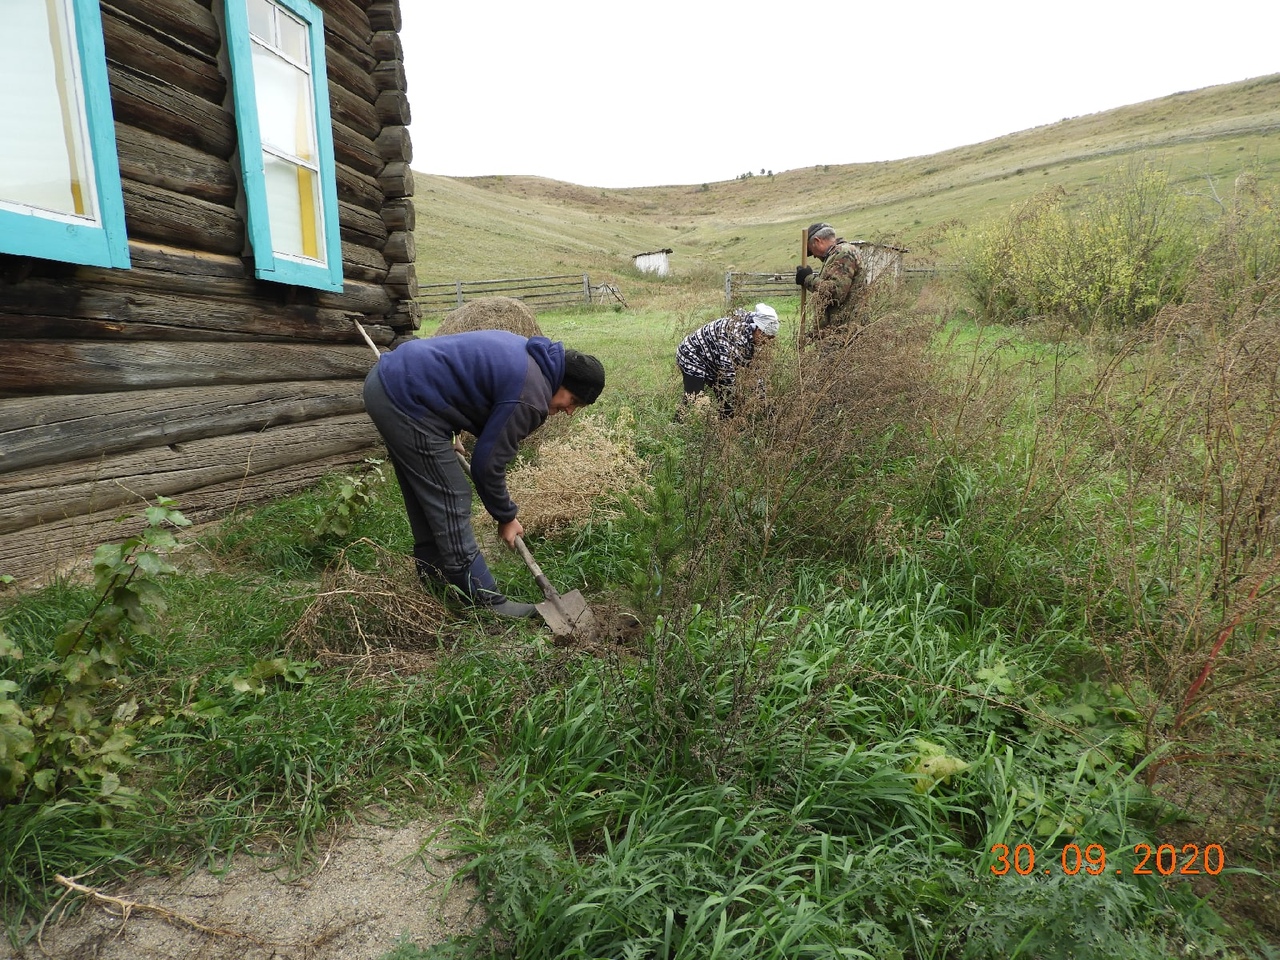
(369, 612)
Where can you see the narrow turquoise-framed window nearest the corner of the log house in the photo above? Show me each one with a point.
(286, 140)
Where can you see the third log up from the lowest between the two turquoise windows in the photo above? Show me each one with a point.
(172, 113)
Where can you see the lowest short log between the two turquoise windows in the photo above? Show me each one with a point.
(168, 217)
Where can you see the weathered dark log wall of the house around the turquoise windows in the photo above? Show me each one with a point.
(185, 376)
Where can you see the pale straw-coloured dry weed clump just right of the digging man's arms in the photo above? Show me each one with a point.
(580, 474)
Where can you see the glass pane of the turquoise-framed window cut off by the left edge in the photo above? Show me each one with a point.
(44, 162)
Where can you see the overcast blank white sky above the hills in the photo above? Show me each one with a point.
(694, 92)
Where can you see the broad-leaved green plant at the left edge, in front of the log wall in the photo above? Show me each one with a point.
(66, 720)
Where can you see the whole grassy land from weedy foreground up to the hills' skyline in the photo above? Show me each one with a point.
(957, 642)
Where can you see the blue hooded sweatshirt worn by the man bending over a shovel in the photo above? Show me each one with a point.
(490, 383)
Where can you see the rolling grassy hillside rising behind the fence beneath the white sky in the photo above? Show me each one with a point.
(491, 227)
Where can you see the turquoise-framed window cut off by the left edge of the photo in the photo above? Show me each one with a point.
(60, 176)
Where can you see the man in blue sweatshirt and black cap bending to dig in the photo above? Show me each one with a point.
(496, 386)
